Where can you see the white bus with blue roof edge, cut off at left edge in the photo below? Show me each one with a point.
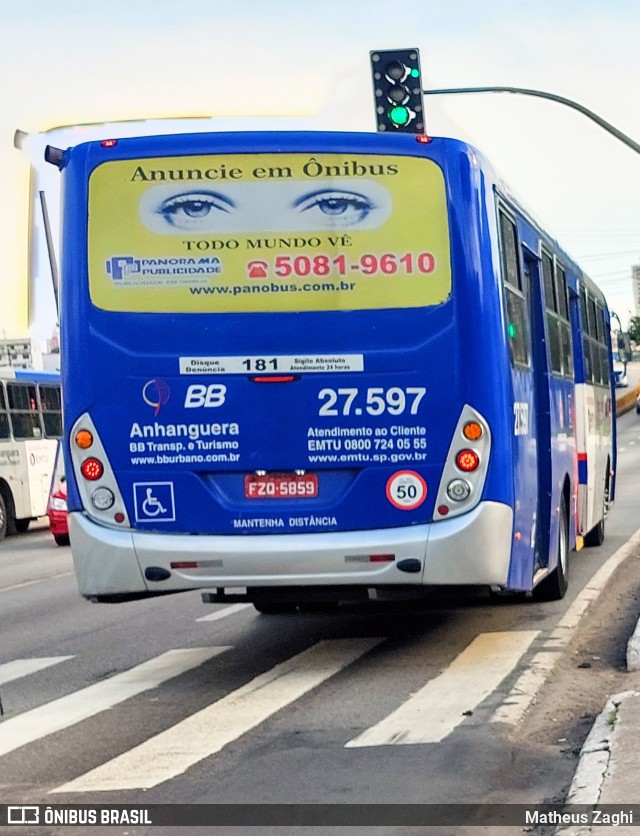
(30, 426)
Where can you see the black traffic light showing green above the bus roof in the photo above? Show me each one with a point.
(397, 89)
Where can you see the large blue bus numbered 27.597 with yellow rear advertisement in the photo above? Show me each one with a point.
(323, 367)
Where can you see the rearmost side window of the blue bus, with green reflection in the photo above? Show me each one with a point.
(514, 292)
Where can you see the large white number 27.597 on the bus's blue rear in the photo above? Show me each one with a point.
(373, 401)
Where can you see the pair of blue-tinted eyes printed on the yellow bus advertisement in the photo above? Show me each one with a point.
(253, 207)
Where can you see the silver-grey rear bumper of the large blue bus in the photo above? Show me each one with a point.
(471, 549)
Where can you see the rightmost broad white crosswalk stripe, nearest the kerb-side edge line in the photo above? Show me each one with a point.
(436, 709)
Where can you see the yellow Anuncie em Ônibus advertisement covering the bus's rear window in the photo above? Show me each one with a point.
(268, 232)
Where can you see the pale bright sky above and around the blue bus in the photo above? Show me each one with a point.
(270, 64)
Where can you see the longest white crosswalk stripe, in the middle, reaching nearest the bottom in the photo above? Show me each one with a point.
(206, 732)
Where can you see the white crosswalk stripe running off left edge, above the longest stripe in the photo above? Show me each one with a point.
(79, 705)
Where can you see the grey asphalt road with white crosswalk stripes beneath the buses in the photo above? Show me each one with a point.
(171, 701)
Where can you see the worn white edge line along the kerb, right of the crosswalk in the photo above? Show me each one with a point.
(529, 683)
